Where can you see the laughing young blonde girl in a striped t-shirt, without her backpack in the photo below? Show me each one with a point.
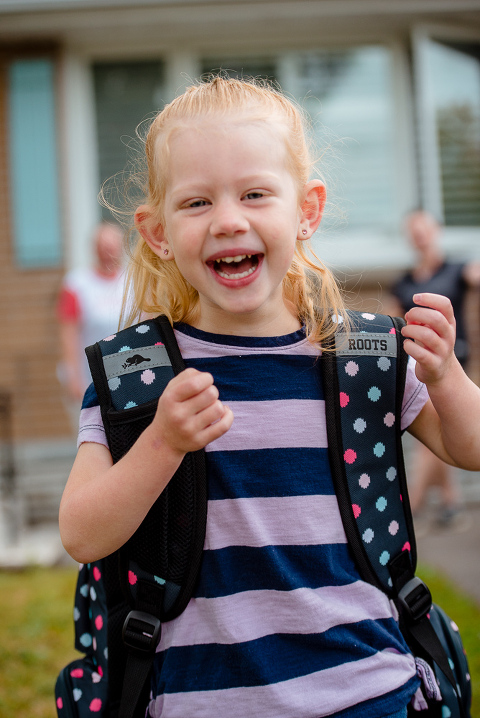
(280, 624)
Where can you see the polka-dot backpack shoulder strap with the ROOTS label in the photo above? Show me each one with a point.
(364, 382)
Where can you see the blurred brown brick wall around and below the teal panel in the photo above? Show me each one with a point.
(28, 331)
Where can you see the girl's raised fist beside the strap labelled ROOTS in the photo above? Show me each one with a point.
(431, 326)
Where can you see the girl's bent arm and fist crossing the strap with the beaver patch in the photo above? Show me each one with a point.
(104, 503)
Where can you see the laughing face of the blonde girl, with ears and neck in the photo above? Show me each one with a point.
(231, 219)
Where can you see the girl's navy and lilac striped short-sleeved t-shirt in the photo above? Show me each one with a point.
(280, 625)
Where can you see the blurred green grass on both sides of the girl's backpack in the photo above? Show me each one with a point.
(36, 635)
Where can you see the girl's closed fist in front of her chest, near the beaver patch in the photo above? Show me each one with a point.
(189, 414)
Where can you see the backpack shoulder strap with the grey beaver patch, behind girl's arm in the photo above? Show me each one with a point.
(153, 575)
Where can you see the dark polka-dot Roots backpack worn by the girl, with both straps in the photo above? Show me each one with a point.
(122, 600)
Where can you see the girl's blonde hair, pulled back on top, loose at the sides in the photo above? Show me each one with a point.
(157, 286)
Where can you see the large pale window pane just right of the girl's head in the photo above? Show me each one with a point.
(350, 99)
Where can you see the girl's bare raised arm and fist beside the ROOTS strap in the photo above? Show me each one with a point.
(449, 423)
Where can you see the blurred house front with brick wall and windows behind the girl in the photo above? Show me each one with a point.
(392, 86)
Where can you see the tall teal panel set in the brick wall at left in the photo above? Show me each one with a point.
(33, 164)
